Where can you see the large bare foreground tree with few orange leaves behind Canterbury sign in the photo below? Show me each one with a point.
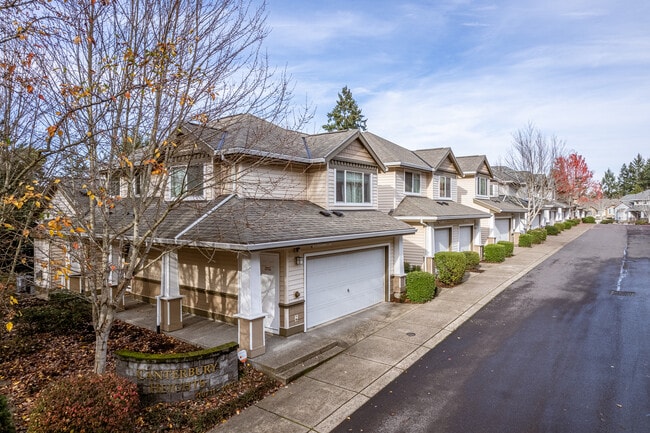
(127, 79)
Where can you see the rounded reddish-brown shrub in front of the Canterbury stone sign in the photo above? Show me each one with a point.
(87, 403)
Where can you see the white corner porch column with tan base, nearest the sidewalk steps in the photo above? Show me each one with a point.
(250, 317)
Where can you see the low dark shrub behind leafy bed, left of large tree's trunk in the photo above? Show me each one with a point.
(64, 313)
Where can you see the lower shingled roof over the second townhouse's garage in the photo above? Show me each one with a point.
(423, 208)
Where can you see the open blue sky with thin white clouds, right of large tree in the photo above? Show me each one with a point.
(467, 74)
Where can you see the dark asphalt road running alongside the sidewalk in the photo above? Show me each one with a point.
(564, 349)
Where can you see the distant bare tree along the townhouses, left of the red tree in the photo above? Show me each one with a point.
(532, 157)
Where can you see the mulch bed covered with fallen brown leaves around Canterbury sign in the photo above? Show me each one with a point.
(28, 363)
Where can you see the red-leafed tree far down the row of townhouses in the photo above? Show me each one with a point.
(573, 179)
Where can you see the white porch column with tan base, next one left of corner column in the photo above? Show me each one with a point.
(169, 303)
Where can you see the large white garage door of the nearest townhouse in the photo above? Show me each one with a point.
(341, 284)
